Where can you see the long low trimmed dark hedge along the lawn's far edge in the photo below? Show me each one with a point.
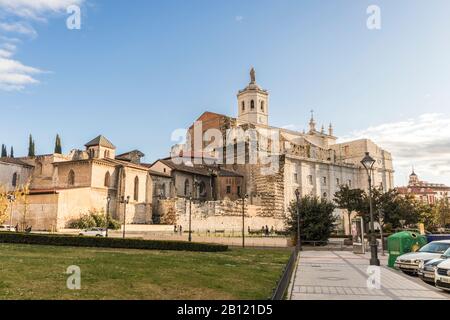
(97, 242)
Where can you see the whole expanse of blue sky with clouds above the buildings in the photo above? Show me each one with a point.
(137, 70)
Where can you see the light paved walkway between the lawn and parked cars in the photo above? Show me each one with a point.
(326, 275)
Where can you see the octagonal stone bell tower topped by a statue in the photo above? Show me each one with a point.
(253, 103)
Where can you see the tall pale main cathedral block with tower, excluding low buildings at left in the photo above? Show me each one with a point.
(311, 162)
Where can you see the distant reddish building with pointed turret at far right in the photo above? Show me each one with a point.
(425, 192)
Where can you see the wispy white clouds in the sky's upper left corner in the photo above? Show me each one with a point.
(18, 17)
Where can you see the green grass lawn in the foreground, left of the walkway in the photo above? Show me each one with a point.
(38, 272)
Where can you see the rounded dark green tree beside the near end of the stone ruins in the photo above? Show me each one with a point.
(316, 216)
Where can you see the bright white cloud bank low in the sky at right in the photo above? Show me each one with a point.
(422, 142)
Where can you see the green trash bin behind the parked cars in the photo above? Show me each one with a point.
(404, 242)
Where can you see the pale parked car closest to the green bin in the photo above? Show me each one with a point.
(409, 262)
